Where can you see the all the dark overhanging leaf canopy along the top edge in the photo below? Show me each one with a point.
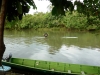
(18, 8)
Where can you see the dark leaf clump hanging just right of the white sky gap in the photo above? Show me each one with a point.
(60, 6)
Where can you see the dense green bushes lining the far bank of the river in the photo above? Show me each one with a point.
(74, 21)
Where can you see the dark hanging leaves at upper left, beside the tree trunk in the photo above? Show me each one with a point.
(17, 8)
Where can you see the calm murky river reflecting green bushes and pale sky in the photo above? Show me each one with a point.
(61, 46)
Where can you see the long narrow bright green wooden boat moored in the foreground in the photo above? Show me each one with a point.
(51, 67)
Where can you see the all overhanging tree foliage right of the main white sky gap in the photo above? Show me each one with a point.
(87, 7)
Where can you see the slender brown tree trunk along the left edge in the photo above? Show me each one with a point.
(2, 21)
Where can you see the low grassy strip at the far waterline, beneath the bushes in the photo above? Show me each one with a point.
(57, 29)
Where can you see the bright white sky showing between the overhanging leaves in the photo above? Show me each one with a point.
(42, 6)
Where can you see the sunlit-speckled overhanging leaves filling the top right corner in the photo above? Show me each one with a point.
(89, 7)
